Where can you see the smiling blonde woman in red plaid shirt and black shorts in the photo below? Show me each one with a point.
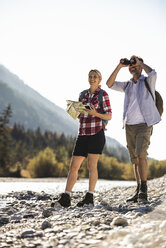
(90, 141)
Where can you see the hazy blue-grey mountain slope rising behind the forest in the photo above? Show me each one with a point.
(32, 110)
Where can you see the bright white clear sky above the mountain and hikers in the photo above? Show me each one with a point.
(53, 44)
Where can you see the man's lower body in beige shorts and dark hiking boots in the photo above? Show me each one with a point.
(138, 140)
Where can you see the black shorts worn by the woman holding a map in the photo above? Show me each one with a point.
(89, 144)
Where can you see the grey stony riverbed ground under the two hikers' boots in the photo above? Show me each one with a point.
(27, 220)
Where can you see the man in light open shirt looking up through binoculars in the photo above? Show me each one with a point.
(140, 114)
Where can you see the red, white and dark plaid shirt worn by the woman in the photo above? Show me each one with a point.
(90, 125)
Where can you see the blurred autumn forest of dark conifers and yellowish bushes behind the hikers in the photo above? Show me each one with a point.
(36, 154)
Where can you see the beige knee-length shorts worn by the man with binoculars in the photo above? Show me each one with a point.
(138, 140)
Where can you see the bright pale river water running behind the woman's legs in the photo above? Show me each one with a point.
(55, 185)
